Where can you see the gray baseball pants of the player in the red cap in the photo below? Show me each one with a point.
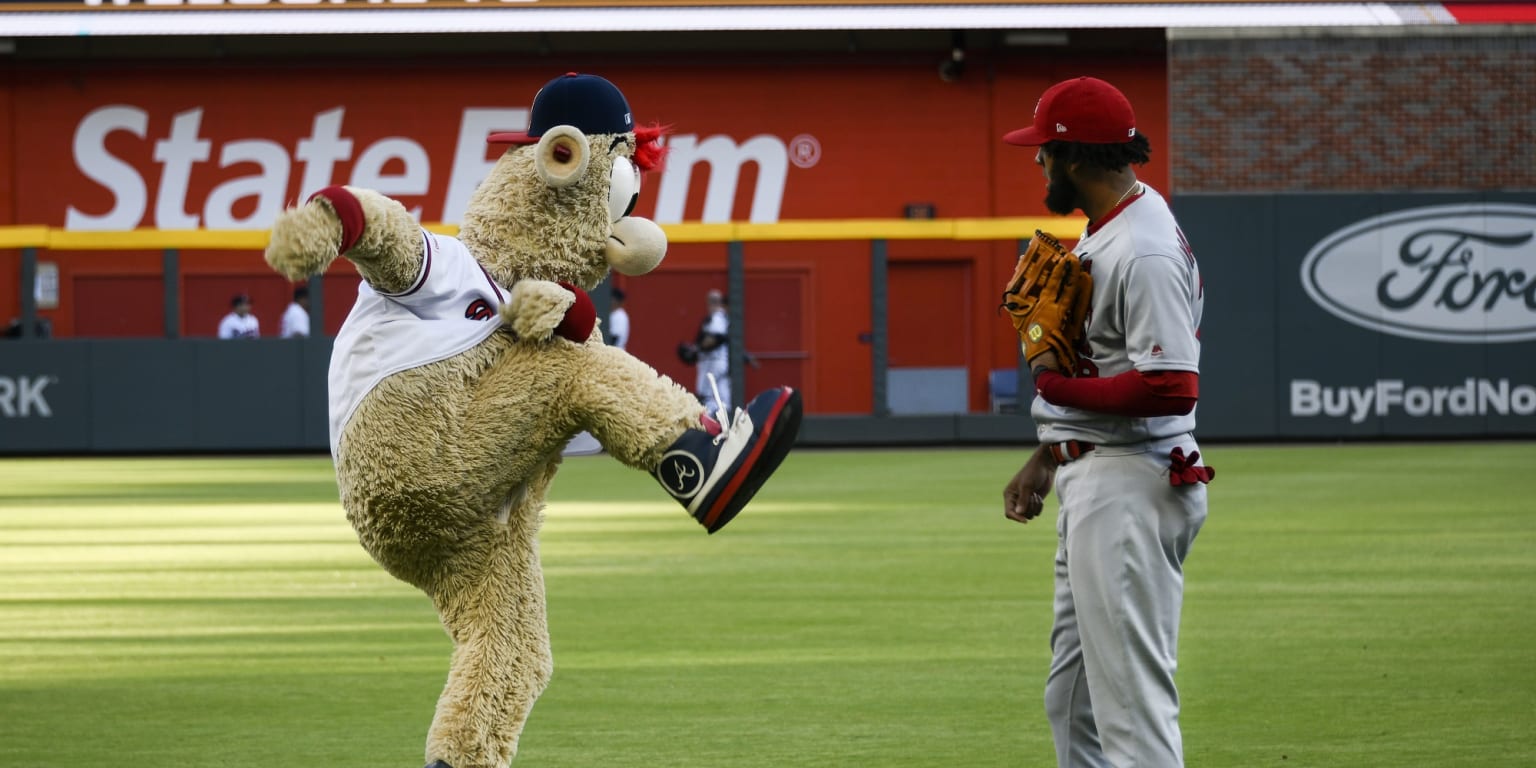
(1124, 535)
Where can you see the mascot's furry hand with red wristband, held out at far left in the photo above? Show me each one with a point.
(308, 239)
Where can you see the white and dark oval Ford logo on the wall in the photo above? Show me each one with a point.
(1463, 274)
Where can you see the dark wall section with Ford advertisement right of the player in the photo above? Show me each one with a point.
(1366, 316)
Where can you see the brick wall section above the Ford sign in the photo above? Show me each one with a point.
(1351, 114)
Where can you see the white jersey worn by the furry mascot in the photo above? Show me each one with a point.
(451, 308)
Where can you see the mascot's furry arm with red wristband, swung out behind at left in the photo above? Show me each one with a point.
(372, 231)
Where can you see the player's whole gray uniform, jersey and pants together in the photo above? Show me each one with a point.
(1124, 529)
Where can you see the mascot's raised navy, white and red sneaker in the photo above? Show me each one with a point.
(713, 477)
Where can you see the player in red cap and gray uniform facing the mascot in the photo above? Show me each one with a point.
(1116, 440)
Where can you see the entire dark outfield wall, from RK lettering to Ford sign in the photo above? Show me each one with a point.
(1328, 317)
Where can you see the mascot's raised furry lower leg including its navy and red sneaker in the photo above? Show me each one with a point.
(650, 423)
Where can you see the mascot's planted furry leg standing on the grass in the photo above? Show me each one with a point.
(494, 611)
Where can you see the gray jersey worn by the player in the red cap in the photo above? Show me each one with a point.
(1145, 316)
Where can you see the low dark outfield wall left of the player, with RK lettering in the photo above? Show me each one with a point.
(270, 396)
